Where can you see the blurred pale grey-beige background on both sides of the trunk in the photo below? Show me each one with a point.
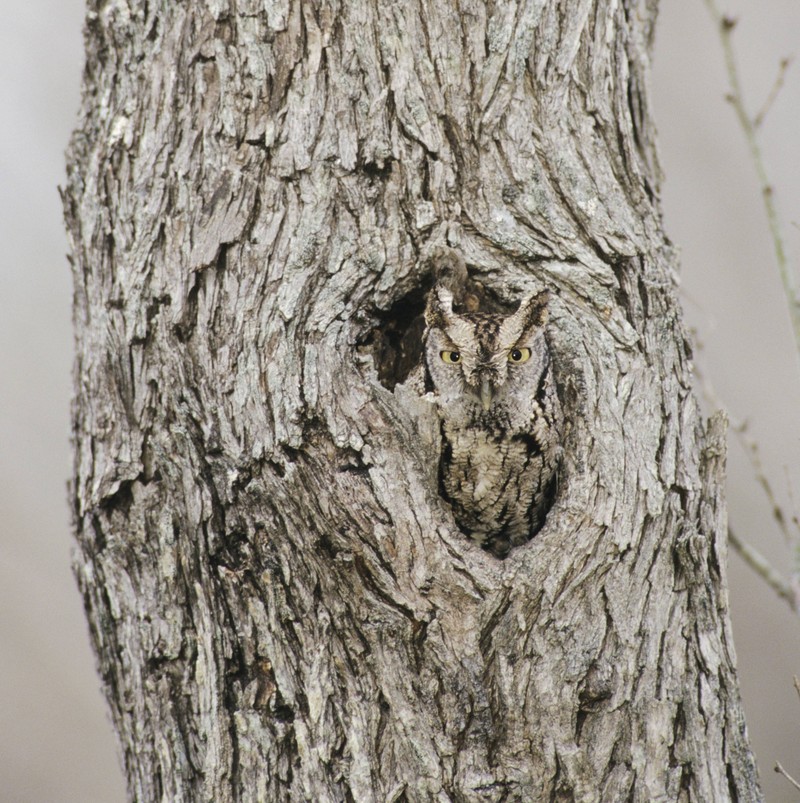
(56, 742)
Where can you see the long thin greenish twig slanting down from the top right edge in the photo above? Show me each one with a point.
(725, 25)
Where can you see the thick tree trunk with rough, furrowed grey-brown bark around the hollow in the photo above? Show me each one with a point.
(281, 604)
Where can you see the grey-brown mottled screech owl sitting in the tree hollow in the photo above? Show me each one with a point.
(500, 416)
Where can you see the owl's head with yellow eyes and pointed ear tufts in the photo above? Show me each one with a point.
(481, 362)
